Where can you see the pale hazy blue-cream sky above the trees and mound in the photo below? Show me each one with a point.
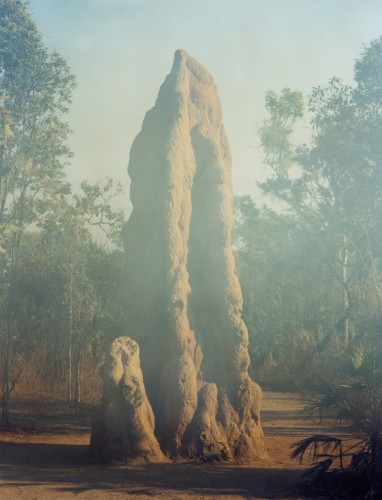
(121, 51)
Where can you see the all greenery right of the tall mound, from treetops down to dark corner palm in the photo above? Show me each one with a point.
(334, 208)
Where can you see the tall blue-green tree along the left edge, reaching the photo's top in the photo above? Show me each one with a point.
(35, 89)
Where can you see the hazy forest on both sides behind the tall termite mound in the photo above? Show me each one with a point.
(310, 270)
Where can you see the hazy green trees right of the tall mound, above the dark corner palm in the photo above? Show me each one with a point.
(311, 273)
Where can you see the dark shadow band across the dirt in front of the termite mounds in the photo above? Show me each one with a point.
(68, 469)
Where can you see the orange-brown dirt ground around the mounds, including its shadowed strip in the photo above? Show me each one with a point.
(52, 462)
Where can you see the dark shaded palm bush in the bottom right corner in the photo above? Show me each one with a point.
(352, 400)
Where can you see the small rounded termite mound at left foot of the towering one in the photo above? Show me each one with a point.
(123, 427)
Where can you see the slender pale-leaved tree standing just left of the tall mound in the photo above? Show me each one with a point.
(66, 226)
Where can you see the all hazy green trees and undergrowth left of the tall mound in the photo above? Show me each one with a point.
(51, 297)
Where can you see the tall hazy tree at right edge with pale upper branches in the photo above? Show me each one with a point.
(337, 190)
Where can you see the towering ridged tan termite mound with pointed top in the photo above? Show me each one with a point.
(183, 297)
